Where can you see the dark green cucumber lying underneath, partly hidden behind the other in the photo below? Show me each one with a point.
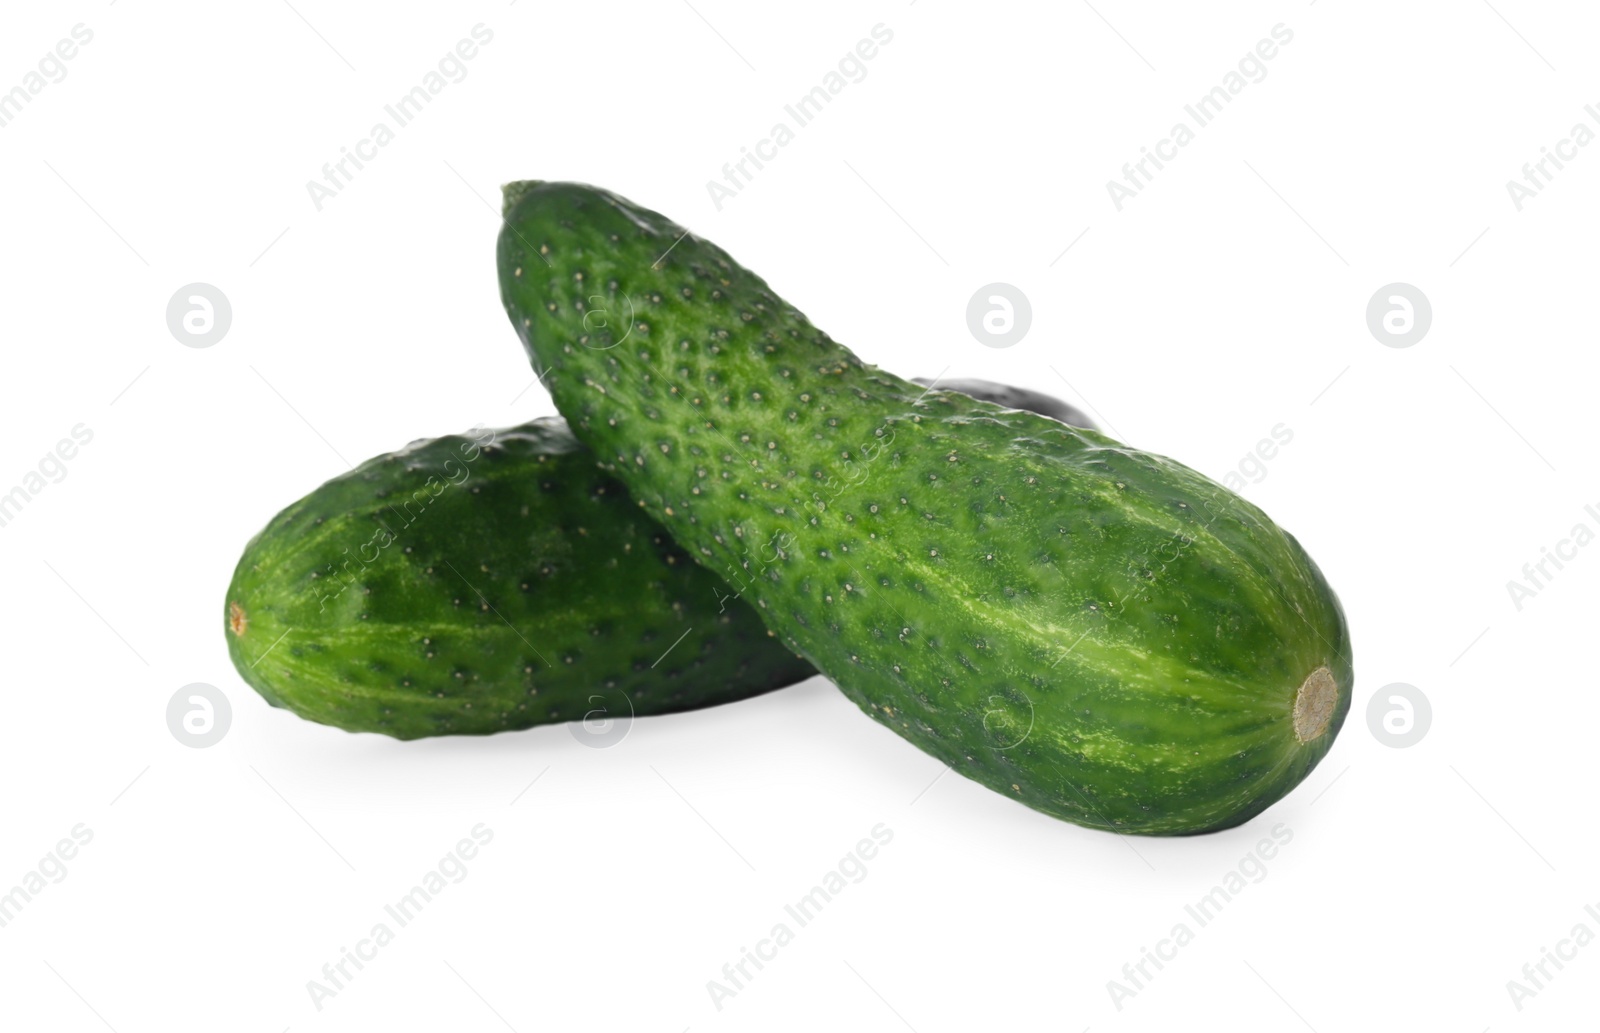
(490, 583)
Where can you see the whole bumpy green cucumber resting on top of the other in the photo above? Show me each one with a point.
(1098, 632)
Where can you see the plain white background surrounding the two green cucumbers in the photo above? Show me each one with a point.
(1225, 300)
